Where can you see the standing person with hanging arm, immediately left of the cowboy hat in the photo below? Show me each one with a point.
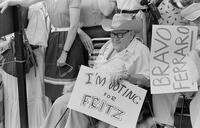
(90, 23)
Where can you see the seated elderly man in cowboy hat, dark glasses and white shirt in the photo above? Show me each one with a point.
(124, 56)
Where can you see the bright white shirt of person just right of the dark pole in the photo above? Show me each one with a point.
(37, 30)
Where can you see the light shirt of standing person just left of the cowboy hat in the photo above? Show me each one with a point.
(90, 13)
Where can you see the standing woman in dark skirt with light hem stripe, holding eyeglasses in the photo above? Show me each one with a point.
(62, 67)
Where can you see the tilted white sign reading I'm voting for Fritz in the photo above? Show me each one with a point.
(118, 105)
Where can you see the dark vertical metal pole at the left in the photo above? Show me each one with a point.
(18, 28)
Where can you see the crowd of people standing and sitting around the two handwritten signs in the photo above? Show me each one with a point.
(61, 32)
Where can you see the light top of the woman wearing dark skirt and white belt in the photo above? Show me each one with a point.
(58, 11)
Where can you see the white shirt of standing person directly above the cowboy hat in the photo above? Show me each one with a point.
(129, 5)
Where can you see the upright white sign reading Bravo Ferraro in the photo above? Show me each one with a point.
(169, 50)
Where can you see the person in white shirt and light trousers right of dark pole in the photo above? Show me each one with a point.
(37, 33)
